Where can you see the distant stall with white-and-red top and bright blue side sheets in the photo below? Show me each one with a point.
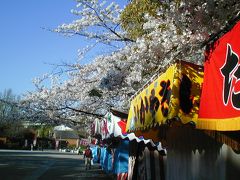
(114, 150)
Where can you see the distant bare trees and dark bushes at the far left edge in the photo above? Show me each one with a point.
(19, 123)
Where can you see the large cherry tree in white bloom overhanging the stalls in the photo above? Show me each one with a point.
(177, 31)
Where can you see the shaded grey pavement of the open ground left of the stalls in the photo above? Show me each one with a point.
(31, 165)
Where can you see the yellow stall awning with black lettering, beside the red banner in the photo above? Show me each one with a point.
(175, 93)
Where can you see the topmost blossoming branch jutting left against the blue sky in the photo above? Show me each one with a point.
(97, 20)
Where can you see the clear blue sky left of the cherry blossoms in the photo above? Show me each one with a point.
(26, 50)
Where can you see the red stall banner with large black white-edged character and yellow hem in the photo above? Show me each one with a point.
(220, 99)
